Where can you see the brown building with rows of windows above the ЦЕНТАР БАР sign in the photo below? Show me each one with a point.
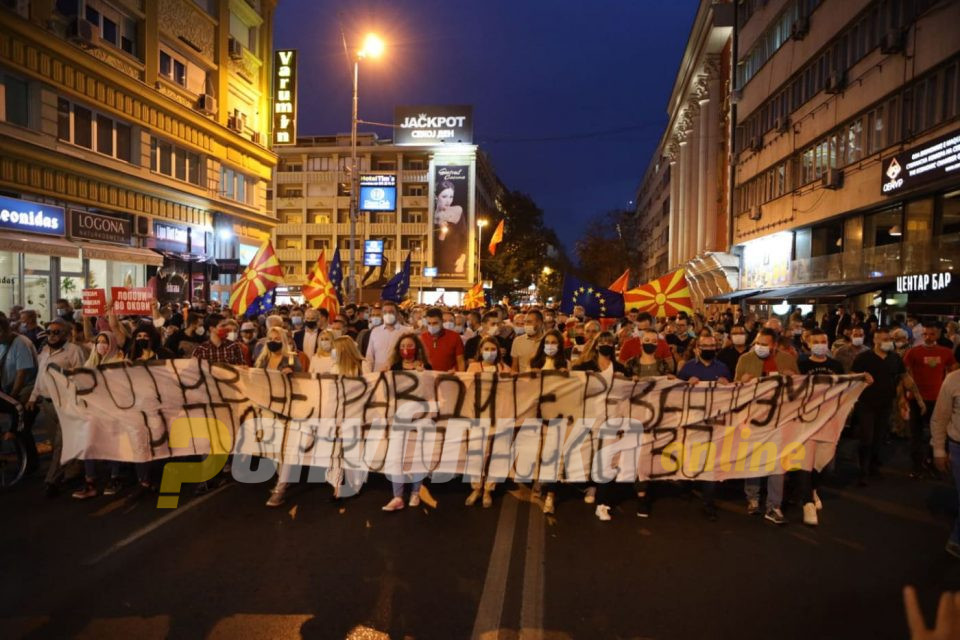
(847, 150)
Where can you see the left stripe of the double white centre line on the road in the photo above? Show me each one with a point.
(490, 608)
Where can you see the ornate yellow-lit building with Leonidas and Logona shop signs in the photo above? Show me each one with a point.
(134, 144)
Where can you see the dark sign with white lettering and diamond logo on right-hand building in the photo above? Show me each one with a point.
(936, 159)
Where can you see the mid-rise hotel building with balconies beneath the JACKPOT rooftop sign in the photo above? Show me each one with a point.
(311, 199)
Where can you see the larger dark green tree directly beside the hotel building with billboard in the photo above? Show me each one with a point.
(527, 247)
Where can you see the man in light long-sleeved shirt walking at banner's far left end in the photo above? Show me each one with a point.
(59, 350)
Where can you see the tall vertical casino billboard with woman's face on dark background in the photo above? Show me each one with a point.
(451, 224)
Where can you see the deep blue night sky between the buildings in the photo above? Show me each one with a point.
(569, 96)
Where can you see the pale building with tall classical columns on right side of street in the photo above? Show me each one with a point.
(682, 199)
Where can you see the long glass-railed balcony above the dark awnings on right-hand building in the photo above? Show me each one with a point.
(939, 254)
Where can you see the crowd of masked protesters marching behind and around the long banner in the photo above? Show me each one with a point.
(906, 362)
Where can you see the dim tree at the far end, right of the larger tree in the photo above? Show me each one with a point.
(606, 249)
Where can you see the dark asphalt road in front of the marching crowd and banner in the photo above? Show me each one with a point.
(224, 566)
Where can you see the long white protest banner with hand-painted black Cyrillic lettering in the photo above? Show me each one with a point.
(547, 426)
